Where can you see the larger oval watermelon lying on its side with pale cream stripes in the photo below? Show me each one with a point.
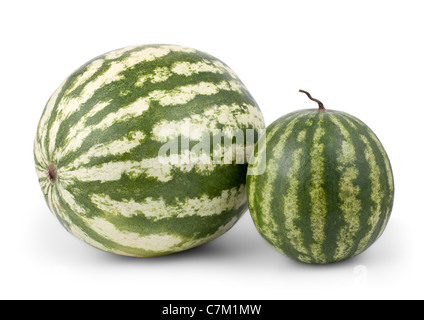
(101, 150)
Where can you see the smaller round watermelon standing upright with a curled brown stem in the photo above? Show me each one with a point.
(327, 190)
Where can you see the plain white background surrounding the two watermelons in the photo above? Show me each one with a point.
(362, 57)
